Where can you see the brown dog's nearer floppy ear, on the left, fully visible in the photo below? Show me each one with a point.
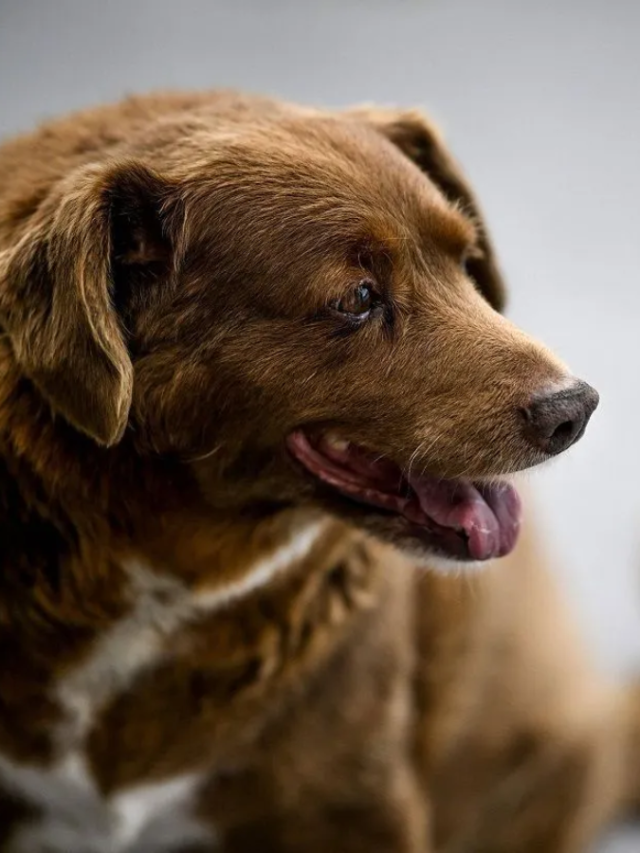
(56, 292)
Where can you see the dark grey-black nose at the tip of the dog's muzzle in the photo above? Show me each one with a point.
(556, 421)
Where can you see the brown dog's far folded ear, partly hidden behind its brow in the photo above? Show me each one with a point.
(421, 141)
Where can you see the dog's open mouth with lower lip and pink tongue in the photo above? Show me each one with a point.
(460, 519)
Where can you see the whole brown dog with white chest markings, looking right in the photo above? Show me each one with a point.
(252, 374)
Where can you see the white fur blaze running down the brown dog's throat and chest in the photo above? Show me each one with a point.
(74, 816)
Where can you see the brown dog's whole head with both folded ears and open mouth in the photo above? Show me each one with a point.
(311, 310)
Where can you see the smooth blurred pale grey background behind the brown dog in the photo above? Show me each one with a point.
(541, 103)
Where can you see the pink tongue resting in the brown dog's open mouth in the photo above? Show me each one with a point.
(488, 515)
